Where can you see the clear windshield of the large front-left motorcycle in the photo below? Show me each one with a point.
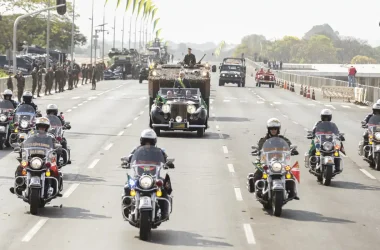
(38, 144)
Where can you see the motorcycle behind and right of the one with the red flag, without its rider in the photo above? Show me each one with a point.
(327, 143)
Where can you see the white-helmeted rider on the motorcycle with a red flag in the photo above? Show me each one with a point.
(273, 126)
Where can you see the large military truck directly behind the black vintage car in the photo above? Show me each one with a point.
(164, 76)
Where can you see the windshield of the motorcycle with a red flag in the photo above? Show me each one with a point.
(275, 149)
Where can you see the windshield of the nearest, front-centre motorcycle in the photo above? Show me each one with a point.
(147, 160)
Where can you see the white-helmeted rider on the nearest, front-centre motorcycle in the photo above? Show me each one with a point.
(149, 137)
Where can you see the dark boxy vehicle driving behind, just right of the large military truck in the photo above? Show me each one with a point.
(232, 70)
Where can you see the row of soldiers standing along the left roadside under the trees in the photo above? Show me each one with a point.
(57, 77)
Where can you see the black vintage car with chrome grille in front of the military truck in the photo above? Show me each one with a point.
(179, 109)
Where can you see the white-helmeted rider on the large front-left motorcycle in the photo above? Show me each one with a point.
(42, 126)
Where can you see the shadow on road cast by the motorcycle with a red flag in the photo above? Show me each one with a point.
(300, 215)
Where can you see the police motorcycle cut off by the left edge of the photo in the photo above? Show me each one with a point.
(6, 116)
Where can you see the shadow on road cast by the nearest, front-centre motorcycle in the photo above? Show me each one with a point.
(181, 238)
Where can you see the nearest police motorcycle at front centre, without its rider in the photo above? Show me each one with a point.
(143, 193)
